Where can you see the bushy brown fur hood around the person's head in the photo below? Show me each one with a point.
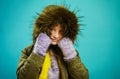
(53, 15)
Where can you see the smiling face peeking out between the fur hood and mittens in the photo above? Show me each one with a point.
(56, 34)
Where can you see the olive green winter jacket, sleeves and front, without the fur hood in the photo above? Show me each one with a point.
(30, 66)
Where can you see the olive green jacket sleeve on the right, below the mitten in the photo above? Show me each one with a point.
(76, 69)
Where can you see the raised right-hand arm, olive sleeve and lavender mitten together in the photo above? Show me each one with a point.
(76, 68)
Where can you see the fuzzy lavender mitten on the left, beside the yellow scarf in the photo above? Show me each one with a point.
(41, 45)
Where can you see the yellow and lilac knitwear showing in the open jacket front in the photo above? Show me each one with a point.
(50, 68)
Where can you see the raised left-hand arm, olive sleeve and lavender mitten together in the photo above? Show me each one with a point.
(30, 65)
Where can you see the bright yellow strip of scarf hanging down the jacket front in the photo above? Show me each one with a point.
(45, 67)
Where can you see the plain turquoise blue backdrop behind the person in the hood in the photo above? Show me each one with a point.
(99, 44)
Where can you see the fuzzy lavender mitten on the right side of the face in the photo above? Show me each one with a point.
(66, 46)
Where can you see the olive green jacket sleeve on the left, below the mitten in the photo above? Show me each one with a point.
(30, 66)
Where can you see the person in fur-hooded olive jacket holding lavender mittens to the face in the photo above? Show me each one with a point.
(52, 54)
